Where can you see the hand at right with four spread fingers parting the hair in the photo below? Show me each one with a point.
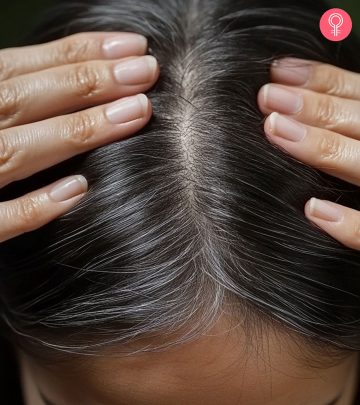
(319, 124)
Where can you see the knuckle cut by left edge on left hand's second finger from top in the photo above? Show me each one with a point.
(10, 101)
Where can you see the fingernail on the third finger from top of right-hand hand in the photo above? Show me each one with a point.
(286, 128)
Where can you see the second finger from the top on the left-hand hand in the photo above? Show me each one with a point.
(68, 88)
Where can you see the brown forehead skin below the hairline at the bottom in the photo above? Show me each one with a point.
(213, 369)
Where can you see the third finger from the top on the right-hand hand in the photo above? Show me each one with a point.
(328, 151)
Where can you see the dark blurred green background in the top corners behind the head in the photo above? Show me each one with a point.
(19, 16)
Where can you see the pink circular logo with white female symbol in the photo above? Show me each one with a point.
(336, 24)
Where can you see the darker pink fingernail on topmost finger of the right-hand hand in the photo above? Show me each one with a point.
(291, 71)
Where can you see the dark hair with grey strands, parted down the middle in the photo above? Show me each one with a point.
(197, 214)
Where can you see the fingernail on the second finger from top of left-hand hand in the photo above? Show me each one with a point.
(136, 71)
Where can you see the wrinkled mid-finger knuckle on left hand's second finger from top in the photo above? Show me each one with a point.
(85, 79)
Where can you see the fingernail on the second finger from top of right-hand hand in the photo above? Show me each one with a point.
(278, 99)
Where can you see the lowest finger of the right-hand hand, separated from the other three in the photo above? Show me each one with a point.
(340, 222)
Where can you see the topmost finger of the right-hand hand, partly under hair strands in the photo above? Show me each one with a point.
(316, 76)
